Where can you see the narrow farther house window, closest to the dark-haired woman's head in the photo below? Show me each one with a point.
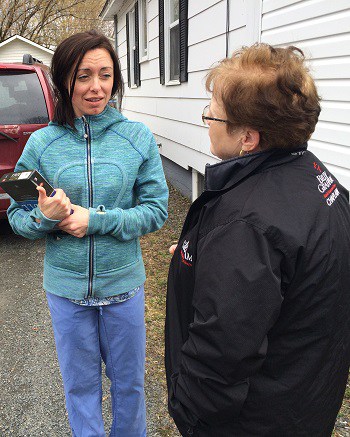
(132, 39)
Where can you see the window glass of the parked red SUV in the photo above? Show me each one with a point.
(21, 98)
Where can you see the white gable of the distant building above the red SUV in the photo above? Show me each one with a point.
(14, 51)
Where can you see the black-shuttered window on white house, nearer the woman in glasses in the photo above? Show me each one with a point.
(173, 31)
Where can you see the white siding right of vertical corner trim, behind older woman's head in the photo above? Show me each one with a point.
(321, 28)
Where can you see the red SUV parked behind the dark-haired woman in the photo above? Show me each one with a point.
(26, 104)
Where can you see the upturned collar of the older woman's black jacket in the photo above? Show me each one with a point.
(226, 173)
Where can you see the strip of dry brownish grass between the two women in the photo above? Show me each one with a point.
(157, 259)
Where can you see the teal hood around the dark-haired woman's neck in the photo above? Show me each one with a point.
(98, 124)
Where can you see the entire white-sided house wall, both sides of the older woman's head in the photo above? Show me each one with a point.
(173, 113)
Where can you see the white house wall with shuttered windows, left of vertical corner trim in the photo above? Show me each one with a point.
(173, 113)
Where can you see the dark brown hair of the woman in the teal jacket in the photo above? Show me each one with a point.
(68, 55)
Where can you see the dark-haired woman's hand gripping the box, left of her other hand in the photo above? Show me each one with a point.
(56, 207)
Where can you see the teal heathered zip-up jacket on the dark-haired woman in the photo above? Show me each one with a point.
(111, 166)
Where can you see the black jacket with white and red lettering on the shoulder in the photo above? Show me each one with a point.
(258, 303)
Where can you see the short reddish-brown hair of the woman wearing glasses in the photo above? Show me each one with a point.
(269, 90)
